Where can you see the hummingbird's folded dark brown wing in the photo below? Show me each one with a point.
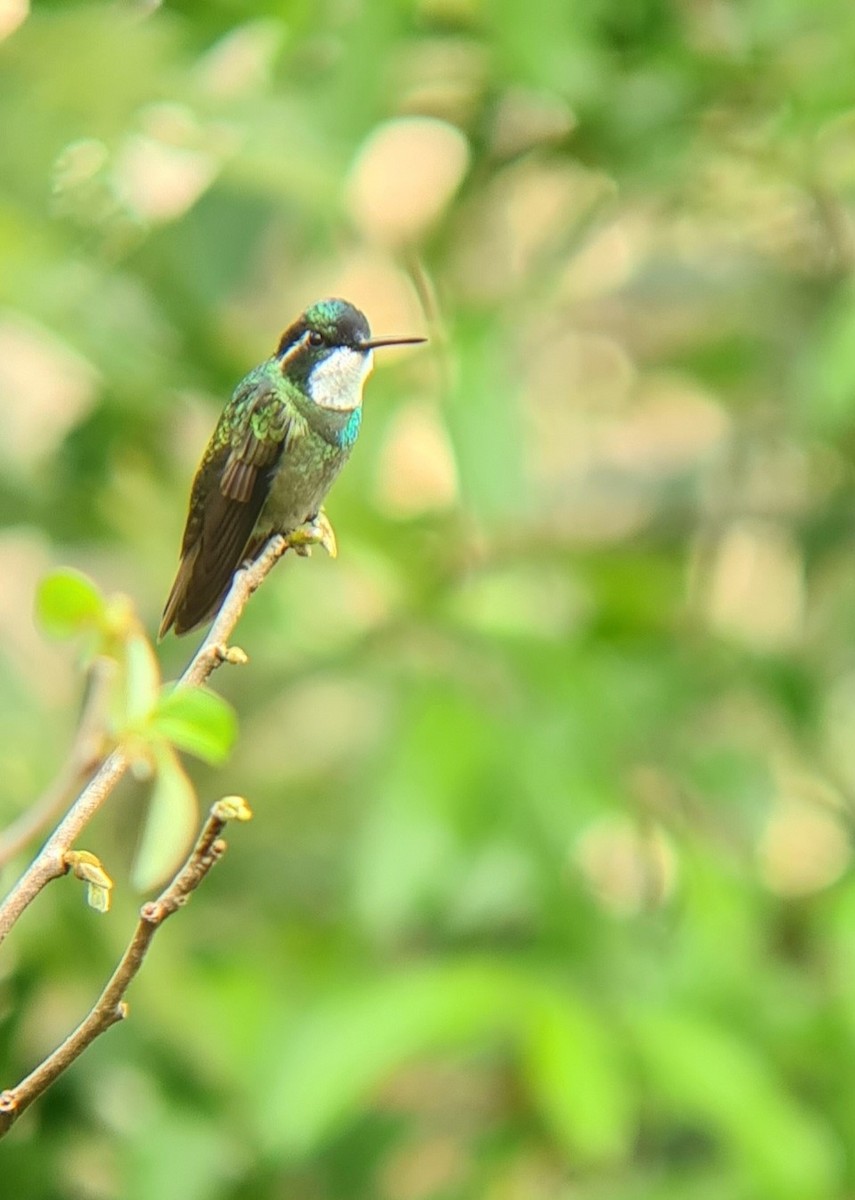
(228, 499)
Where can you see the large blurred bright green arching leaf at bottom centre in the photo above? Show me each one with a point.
(337, 1057)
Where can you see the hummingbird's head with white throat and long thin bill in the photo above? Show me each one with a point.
(328, 352)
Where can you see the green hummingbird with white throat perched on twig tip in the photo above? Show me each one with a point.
(280, 442)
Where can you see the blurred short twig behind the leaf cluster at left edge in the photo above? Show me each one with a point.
(86, 754)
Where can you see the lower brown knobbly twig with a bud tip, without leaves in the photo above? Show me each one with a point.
(111, 1006)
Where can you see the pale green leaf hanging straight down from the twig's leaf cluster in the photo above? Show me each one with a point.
(170, 826)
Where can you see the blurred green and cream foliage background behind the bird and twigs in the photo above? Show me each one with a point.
(549, 891)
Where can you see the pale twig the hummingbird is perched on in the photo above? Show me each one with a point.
(50, 863)
